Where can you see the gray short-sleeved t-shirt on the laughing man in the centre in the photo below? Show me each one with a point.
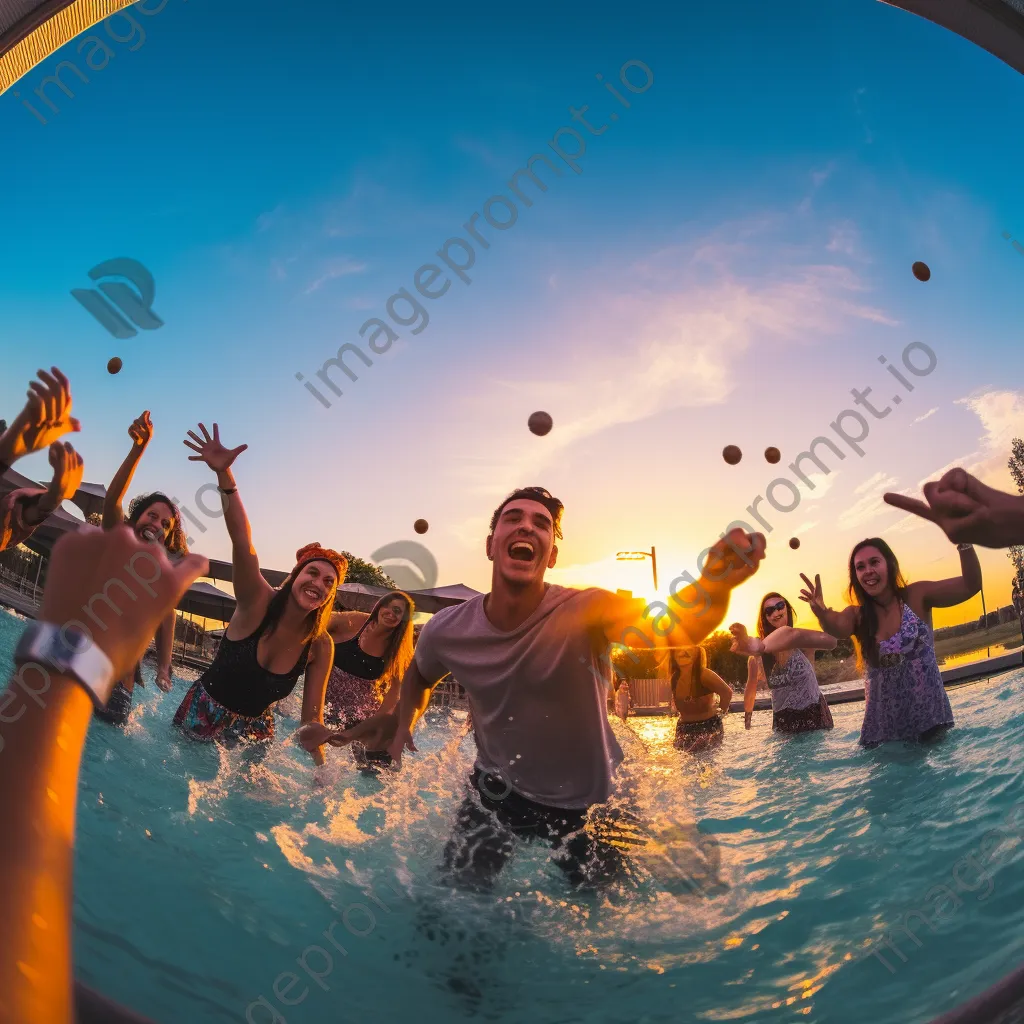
(538, 694)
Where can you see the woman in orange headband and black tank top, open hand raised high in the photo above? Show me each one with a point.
(275, 635)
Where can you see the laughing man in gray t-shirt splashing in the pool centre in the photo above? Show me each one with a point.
(534, 661)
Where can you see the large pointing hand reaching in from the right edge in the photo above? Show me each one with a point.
(968, 511)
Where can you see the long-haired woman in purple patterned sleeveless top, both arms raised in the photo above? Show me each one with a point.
(891, 624)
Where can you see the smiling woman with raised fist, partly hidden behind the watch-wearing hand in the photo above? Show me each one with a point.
(155, 520)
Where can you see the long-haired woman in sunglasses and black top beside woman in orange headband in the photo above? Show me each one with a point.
(371, 656)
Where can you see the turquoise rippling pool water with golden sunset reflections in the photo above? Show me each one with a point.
(201, 881)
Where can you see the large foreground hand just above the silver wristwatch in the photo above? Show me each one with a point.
(87, 564)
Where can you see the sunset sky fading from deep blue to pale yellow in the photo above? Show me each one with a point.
(731, 263)
